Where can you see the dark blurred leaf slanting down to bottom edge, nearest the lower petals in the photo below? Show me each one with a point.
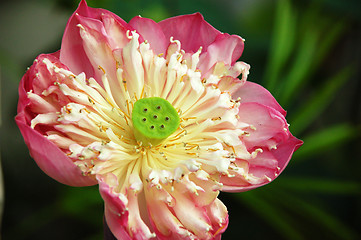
(274, 216)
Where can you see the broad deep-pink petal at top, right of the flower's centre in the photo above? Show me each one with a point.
(191, 30)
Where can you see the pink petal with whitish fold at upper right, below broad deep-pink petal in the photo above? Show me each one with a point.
(226, 48)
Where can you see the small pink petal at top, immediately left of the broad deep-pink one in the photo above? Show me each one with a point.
(151, 32)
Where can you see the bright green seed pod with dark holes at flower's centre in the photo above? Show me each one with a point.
(154, 119)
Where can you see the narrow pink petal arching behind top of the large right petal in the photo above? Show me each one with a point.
(253, 92)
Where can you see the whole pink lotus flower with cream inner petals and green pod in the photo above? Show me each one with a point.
(155, 114)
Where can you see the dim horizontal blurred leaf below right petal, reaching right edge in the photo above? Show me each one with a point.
(322, 186)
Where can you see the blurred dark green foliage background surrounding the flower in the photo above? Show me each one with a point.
(307, 53)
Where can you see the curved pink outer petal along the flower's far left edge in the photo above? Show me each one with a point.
(46, 154)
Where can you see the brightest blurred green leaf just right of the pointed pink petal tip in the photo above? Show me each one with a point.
(325, 139)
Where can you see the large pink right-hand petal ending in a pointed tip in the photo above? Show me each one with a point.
(269, 141)
